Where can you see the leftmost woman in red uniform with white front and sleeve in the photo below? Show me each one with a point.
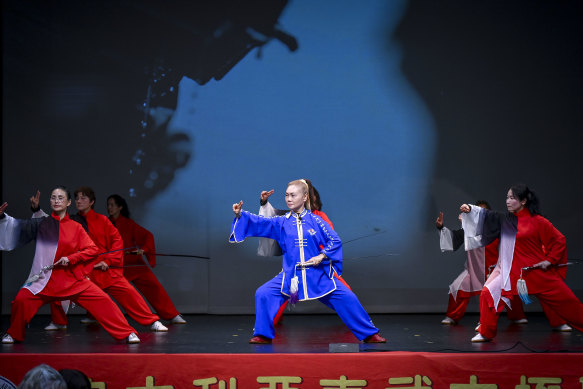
(59, 269)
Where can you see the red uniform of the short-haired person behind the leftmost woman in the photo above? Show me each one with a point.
(112, 281)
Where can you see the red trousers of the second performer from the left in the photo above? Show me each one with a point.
(122, 292)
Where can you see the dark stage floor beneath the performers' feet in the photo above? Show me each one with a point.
(298, 334)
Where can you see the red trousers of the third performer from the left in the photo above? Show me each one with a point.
(146, 282)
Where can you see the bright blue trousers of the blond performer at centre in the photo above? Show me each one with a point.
(268, 299)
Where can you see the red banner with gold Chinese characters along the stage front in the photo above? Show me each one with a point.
(388, 370)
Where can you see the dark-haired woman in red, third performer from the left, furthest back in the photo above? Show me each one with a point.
(135, 270)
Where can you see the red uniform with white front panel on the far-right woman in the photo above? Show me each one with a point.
(536, 240)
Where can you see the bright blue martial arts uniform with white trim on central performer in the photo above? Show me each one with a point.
(301, 237)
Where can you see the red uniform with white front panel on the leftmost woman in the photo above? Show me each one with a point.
(65, 282)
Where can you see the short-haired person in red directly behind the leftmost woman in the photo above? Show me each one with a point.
(107, 269)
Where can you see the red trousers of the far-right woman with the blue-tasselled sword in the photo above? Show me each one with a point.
(557, 299)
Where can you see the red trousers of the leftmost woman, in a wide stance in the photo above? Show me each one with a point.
(26, 304)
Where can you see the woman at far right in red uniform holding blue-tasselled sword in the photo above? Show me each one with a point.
(526, 239)
